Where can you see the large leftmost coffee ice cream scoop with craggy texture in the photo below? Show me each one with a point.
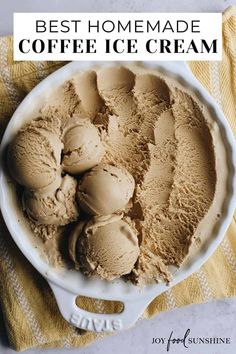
(34, 157)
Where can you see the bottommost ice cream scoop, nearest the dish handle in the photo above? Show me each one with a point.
(106, 246)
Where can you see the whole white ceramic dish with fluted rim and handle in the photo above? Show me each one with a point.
(67, 284)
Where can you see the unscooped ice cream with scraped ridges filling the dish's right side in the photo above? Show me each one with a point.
(163, 139)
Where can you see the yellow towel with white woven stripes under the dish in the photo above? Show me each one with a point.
(31, 315)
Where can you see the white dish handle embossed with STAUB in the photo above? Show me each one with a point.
(96, 322)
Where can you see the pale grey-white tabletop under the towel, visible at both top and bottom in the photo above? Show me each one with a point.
(214, 319)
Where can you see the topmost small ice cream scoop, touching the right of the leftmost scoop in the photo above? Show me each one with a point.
(83, 148)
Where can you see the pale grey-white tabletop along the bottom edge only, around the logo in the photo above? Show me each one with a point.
(215, 319)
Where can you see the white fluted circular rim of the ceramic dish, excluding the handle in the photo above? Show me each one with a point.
(119, 290)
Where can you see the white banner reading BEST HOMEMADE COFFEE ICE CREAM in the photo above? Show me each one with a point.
(117, 36)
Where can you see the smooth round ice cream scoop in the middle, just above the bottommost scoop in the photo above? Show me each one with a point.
(105, 189)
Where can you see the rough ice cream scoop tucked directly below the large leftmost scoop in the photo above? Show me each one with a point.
(58, 207)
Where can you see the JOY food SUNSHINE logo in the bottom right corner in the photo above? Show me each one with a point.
(186, 340)
